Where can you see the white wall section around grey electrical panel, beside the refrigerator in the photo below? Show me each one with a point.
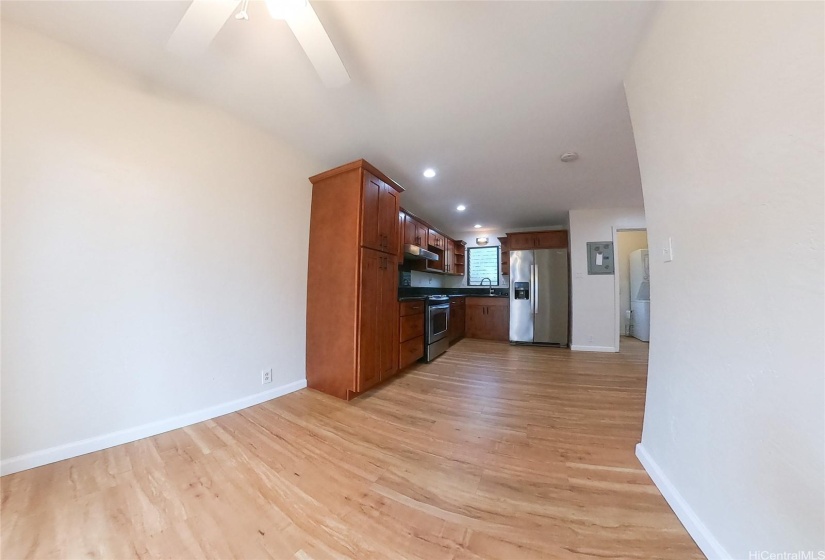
(594, 297)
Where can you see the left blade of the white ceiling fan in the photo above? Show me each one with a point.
(199, 25)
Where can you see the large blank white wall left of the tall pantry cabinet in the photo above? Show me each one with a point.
(145, 240)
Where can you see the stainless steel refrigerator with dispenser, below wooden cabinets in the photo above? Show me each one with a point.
(539, 296)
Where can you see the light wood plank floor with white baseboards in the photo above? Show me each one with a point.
(492, 451)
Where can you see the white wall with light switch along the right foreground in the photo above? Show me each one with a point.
(726, 101)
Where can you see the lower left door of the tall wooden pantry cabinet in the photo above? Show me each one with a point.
(369, 320)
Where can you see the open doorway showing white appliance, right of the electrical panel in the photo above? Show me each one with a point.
(632, 295)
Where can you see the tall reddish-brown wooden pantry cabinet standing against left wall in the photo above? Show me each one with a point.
(352, 284)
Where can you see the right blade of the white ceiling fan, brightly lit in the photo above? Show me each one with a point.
(316, 43)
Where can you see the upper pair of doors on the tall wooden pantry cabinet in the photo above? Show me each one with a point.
(380, 215)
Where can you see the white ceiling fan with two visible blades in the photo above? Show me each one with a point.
(205, 18)
